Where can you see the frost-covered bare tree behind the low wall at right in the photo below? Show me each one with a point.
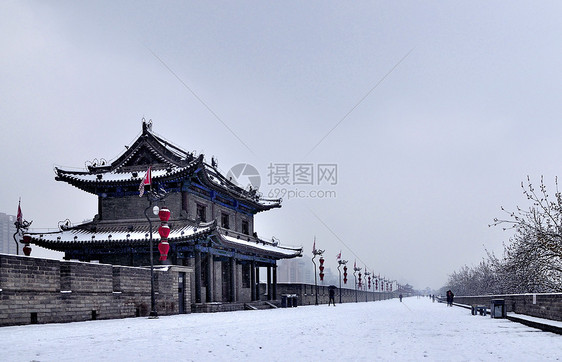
(532, 259)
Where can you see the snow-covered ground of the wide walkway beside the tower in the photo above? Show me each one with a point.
(416, 329)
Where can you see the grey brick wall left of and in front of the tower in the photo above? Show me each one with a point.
(34, 290)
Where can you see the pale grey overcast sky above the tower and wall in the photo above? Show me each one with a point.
(440, 110)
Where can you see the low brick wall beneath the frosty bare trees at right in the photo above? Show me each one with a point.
(547, 306)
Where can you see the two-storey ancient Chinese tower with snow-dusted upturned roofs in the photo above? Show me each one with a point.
(211, 225)
